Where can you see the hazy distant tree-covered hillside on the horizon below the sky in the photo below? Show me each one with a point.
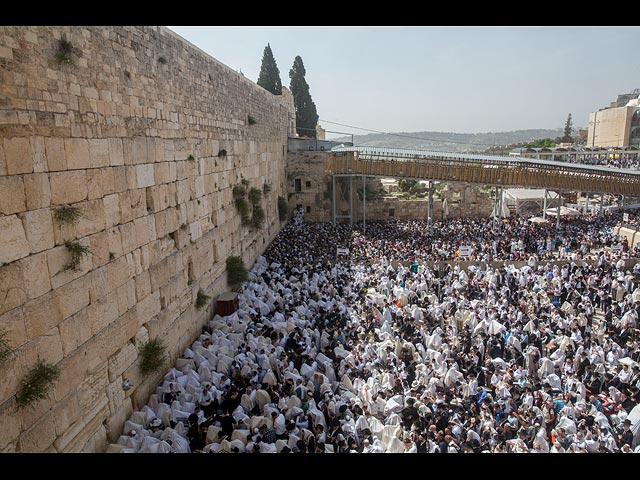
(449, 141)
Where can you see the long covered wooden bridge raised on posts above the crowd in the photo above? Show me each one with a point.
(483, 169)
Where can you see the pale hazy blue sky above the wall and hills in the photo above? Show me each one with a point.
(460, 79)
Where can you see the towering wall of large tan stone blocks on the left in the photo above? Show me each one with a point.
(128, 127)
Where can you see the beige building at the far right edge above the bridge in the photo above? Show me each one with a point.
(618, 125)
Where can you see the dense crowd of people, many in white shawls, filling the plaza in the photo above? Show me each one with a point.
(396, 348)
